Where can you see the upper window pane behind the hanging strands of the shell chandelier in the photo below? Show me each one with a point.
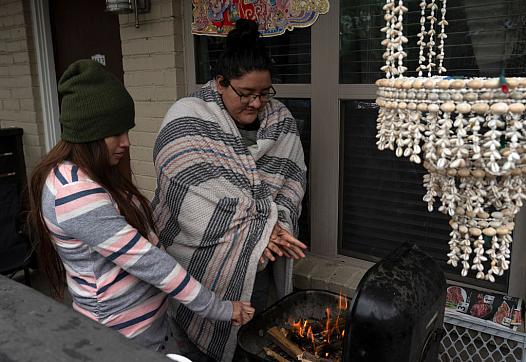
(484, 36)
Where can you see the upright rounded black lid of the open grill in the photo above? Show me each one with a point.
(397, 311)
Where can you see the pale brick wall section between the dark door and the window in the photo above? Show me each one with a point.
(153, 74)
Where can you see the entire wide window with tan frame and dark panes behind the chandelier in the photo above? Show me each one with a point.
(364, 202)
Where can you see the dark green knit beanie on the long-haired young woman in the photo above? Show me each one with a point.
(95, 104)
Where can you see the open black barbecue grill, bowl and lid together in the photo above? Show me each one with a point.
(396, 313)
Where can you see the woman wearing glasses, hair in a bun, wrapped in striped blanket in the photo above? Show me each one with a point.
(230, 180)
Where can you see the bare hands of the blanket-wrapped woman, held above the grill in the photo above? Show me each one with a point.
(282, 243)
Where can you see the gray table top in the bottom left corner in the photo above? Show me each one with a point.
(34, 327)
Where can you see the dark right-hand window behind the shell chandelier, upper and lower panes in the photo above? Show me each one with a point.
(381, 194)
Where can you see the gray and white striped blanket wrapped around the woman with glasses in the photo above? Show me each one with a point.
(217, 201)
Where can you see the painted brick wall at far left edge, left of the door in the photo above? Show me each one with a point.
(19, 92)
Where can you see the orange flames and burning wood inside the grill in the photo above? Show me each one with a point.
(322, 333)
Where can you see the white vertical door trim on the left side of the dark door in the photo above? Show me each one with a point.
(46, 72)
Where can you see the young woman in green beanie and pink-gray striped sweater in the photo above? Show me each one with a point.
(95, 229)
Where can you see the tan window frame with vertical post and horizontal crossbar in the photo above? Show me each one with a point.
(325, 93)
